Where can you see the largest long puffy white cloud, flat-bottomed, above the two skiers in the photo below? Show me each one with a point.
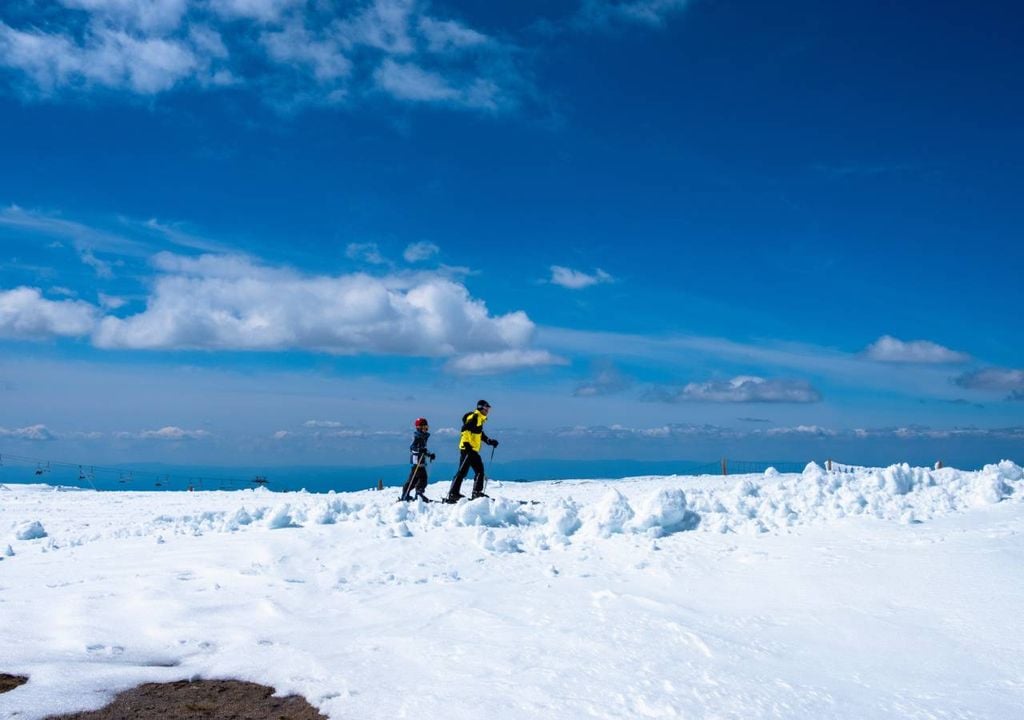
(231, 303)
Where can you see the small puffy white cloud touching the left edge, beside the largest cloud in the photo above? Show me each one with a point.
(25, 314)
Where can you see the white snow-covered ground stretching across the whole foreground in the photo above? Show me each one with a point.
(859, 594)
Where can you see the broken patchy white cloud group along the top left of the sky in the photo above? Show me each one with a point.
(289, 52)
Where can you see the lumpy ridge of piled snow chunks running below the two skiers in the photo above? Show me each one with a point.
(652, 506)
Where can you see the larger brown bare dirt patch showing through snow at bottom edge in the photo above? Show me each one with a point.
(202, 700)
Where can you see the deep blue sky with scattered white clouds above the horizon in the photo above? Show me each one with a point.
(279, 231)
